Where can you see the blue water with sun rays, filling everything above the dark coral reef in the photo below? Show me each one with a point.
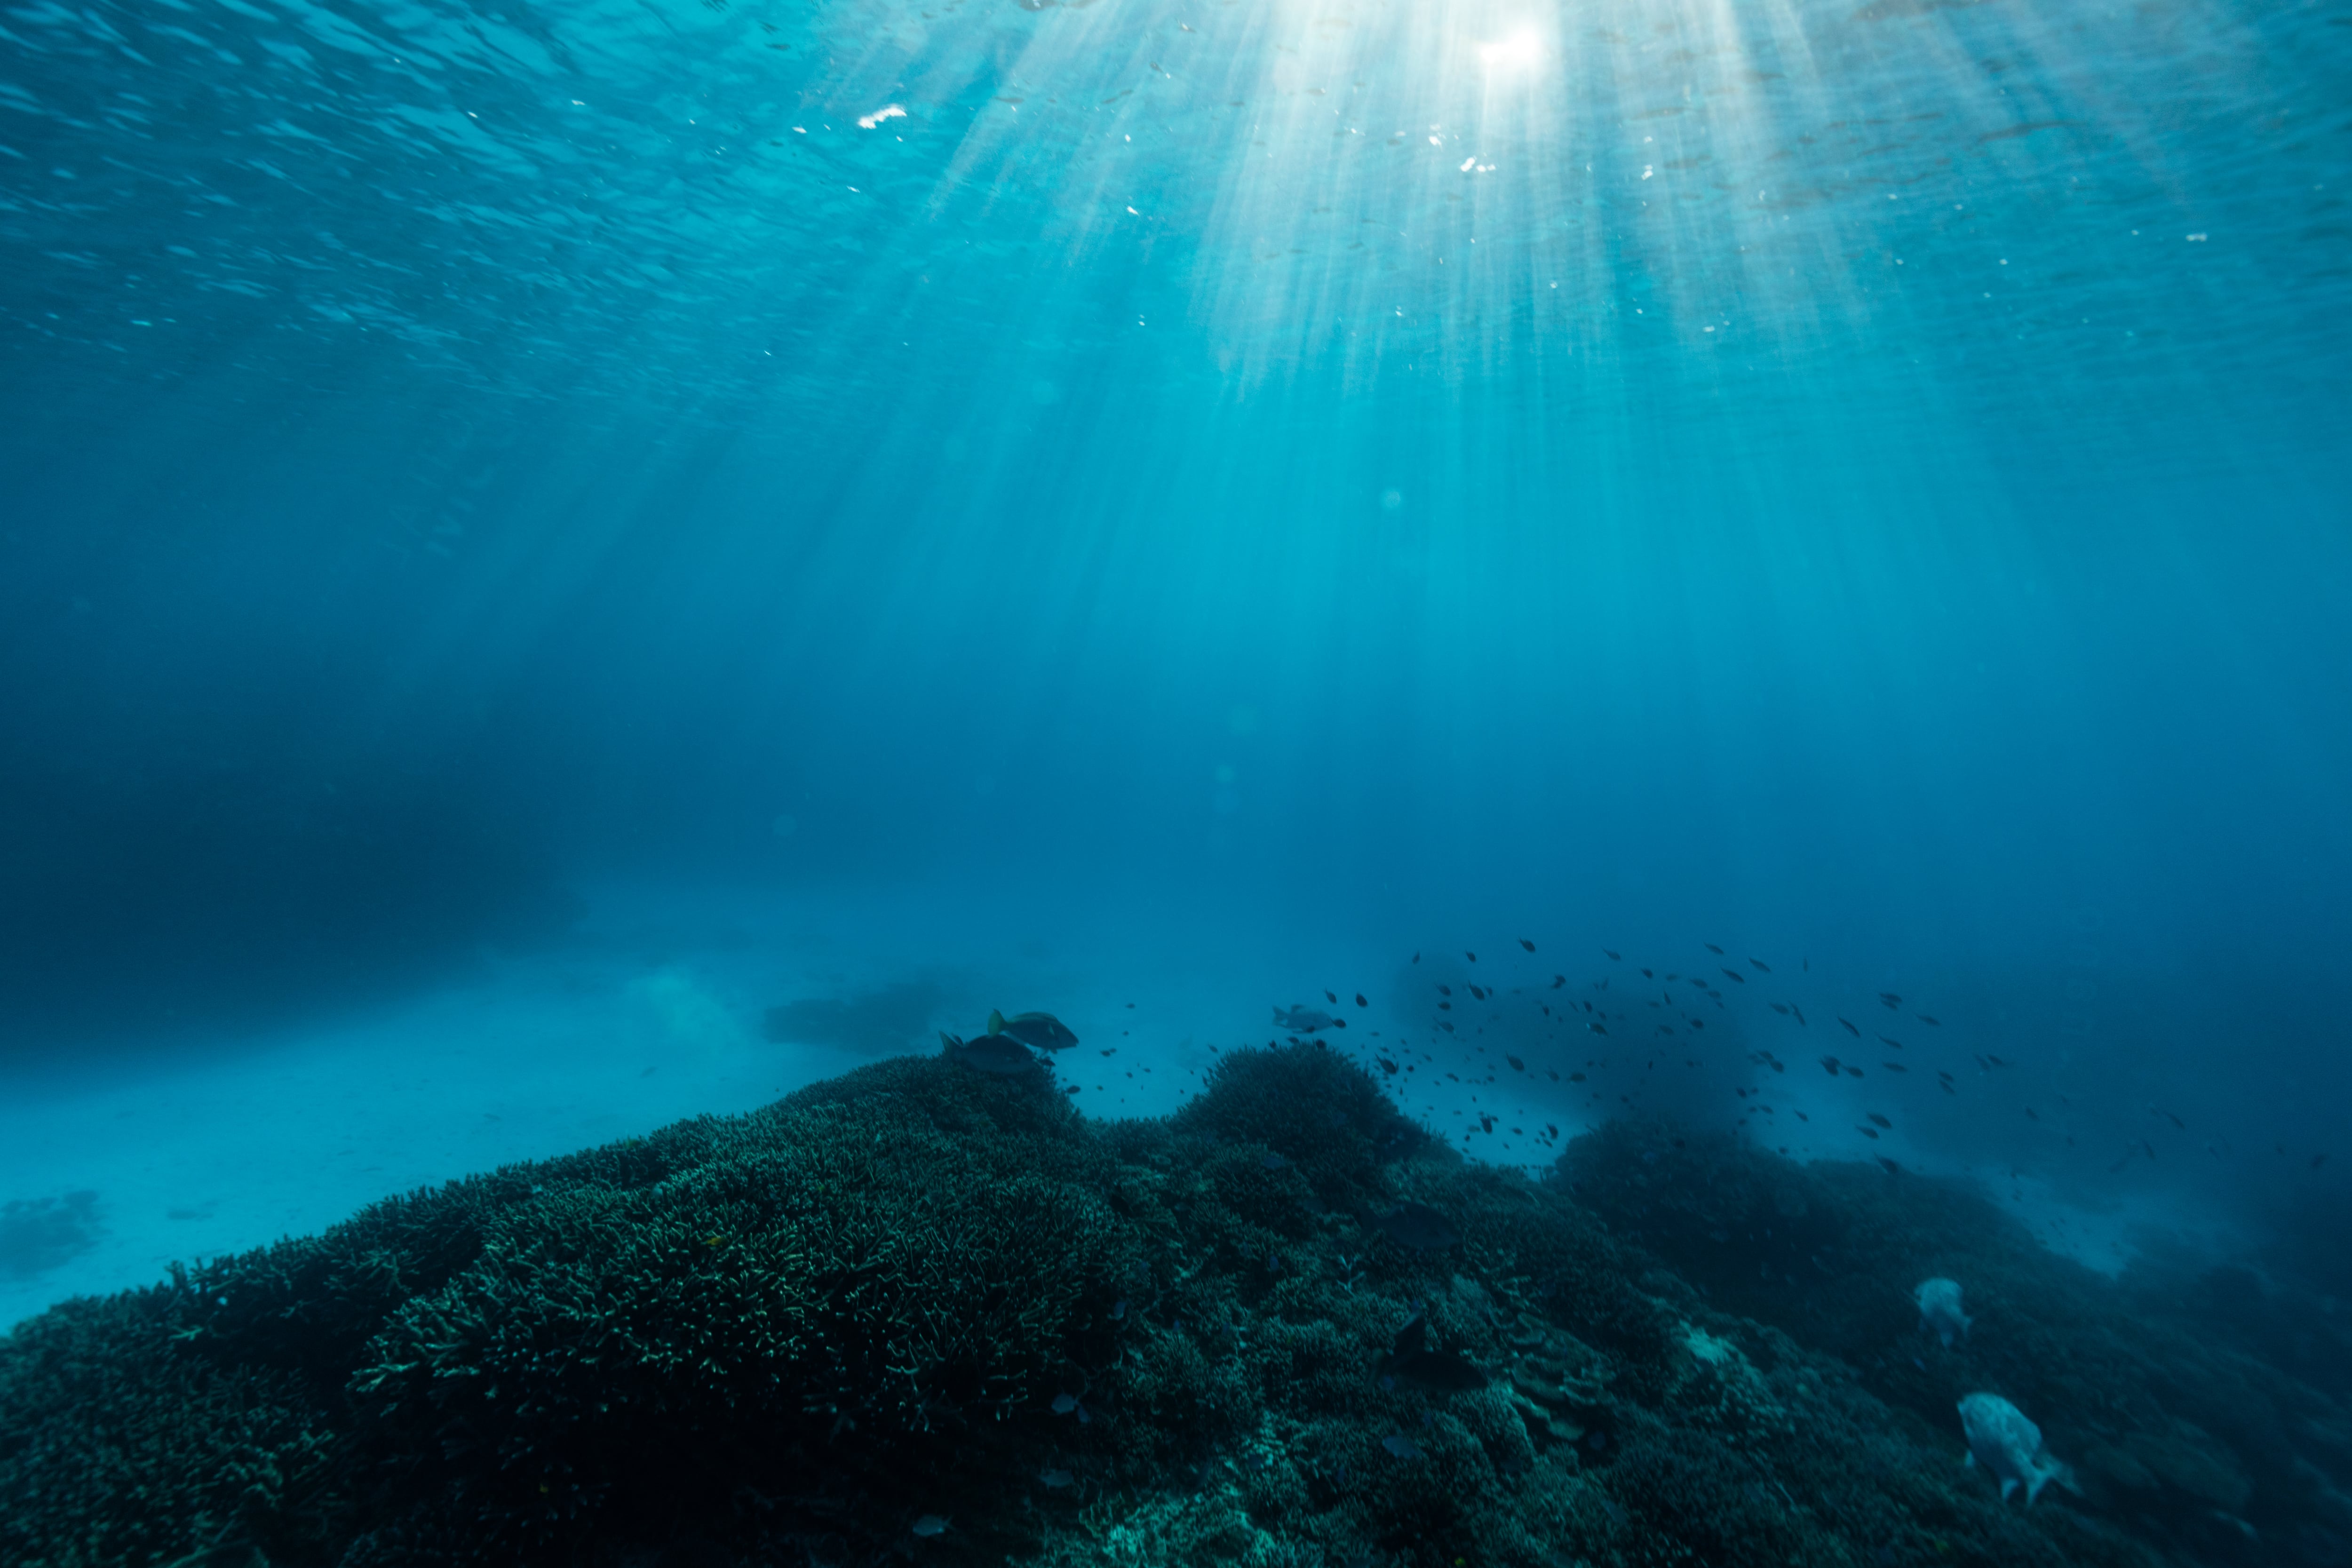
(535, 535)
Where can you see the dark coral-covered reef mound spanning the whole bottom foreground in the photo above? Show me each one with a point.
(930, 1315)
